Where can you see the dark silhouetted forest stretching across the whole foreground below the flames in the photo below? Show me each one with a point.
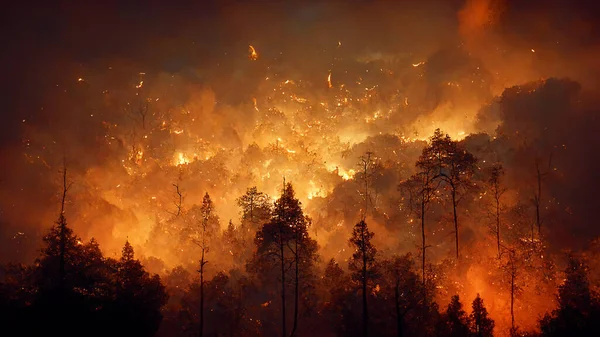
(278, 284)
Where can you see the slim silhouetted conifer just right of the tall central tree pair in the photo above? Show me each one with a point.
(363, 265)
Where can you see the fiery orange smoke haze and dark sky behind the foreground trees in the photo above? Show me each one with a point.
(200, 82)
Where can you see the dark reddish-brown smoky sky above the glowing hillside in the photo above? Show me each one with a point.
(43, 41)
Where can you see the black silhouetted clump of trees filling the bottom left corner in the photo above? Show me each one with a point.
(92, 295)
